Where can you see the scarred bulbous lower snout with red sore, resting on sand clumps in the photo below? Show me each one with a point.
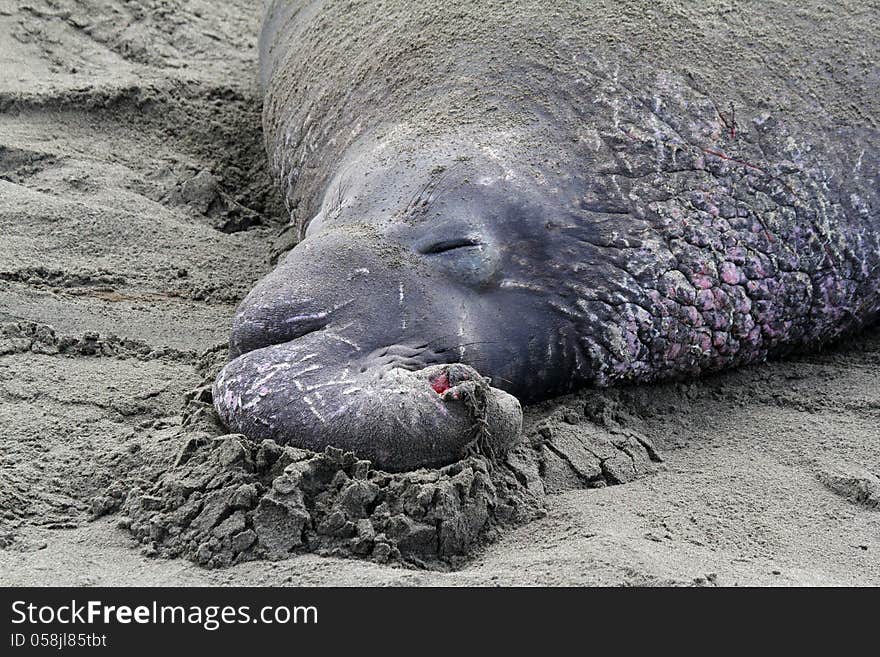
(308, 393)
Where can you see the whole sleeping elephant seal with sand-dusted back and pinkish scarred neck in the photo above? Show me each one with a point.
(550, 196)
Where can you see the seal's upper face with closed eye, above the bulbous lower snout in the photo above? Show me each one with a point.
(419, 255)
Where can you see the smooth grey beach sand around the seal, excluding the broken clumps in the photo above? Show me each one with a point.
(136, 210)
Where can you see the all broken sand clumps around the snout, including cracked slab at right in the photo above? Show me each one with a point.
(228, 499)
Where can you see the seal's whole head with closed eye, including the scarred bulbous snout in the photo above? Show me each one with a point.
(412, 263)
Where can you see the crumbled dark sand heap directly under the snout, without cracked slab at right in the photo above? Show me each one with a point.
(233, 500)
